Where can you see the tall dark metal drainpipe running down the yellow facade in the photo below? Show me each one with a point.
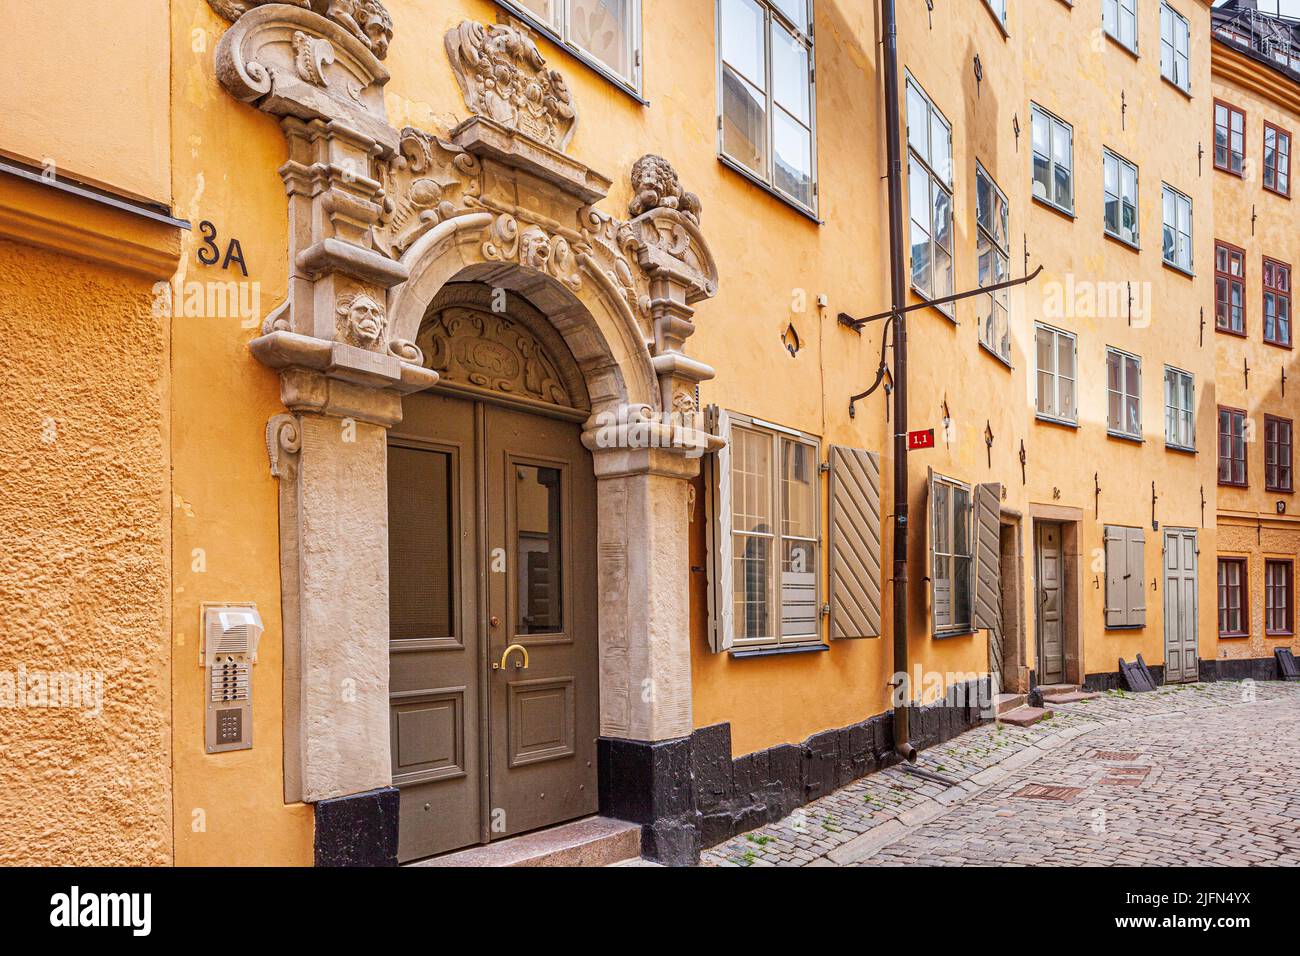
(899, 291)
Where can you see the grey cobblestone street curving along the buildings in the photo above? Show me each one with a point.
(1202, 775)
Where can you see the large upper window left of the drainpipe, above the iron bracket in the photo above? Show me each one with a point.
(768, 94)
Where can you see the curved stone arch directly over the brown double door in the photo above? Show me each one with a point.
(593, 319)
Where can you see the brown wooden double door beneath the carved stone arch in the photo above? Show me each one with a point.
(493, 624)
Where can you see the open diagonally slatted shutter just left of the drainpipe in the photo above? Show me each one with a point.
(856, 547)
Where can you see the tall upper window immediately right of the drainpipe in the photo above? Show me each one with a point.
(930, 191)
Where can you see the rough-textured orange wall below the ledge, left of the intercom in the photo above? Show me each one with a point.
(84, 564)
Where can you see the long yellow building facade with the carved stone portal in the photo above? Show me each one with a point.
(492, 354)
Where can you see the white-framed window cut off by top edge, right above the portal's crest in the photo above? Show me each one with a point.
(604, 32)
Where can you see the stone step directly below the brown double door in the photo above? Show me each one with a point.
(590, 842)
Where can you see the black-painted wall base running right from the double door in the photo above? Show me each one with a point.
(691, 794)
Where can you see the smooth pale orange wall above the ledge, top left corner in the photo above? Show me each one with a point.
(88, 97)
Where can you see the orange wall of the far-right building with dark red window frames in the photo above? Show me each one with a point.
(1251, 218)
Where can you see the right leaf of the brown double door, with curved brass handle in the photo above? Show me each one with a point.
(541, 495)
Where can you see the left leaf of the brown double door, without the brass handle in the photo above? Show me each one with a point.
(435, 648)
